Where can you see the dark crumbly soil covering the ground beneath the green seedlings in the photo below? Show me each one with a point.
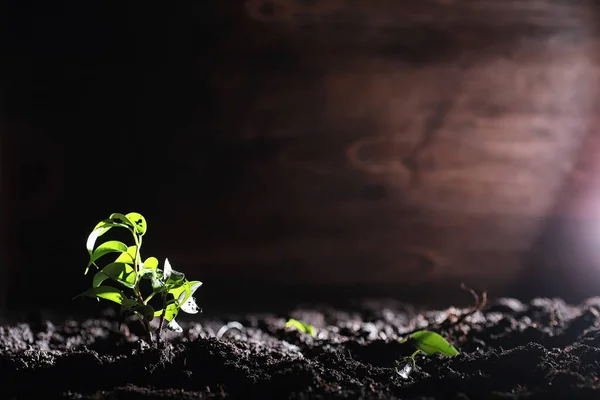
(543, 349)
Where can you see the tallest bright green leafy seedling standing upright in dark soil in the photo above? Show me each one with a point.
(128, 272)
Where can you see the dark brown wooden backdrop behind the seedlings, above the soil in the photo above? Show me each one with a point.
(285, 150)
